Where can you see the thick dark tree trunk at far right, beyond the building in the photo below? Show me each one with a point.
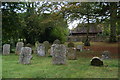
(113, 15)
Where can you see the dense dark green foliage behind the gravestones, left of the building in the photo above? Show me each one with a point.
(32, 25)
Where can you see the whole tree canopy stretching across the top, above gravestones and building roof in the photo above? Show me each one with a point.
(40, 21)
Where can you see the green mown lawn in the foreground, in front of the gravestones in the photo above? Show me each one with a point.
(42, 67)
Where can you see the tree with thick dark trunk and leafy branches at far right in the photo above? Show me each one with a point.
(109, 11)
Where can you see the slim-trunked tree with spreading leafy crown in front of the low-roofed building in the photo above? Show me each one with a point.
(82, 11)
